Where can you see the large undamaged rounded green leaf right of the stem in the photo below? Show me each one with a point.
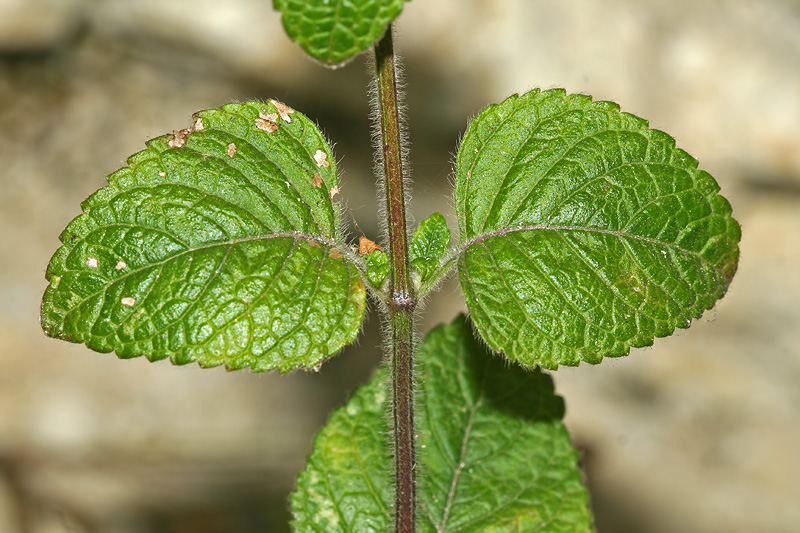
(583, 232)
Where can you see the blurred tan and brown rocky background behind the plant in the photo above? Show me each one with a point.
(699, 433)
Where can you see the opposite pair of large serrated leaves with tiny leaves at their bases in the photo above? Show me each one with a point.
(582, 233)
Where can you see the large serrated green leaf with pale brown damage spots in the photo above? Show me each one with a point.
(218, 244)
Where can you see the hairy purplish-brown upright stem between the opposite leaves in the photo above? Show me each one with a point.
(401, 304)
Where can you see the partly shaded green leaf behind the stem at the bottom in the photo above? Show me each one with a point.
(493, 453)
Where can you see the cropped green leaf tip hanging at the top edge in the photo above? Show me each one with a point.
(335, 31)
